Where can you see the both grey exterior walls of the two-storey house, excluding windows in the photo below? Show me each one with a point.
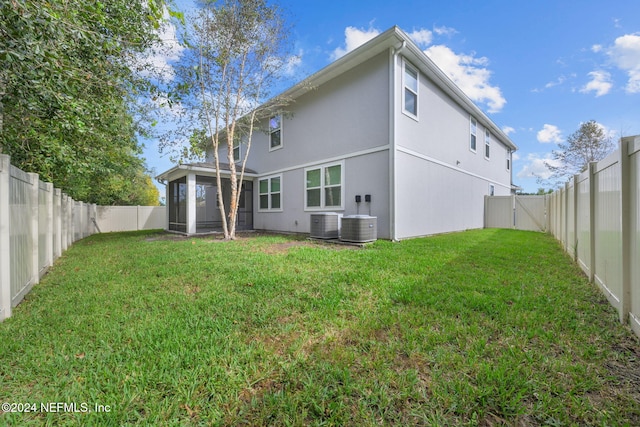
(420, 171)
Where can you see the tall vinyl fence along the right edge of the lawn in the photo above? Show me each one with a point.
(596, 218)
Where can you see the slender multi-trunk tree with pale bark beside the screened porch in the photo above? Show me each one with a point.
(237, 49)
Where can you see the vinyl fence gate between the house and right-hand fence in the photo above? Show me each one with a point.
(519, 212)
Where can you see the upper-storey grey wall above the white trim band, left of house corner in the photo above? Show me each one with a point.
(345, 115)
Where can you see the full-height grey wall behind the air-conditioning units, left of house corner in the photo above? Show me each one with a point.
(344, 120)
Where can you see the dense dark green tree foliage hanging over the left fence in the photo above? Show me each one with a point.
(67, 89)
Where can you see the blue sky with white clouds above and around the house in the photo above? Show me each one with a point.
(537, 68)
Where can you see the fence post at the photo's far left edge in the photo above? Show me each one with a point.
(5, 238)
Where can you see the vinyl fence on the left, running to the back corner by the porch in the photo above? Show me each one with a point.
(38, 223)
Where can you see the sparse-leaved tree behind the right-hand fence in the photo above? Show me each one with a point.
(588, 144)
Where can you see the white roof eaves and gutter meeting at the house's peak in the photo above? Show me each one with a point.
(397, 39)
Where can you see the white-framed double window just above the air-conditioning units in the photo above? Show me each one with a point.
(324, 186)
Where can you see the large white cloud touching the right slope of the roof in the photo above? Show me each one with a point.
(470, 74)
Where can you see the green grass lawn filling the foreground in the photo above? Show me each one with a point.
(485, 327)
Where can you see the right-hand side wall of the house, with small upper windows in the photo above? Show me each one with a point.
(440, 183)
